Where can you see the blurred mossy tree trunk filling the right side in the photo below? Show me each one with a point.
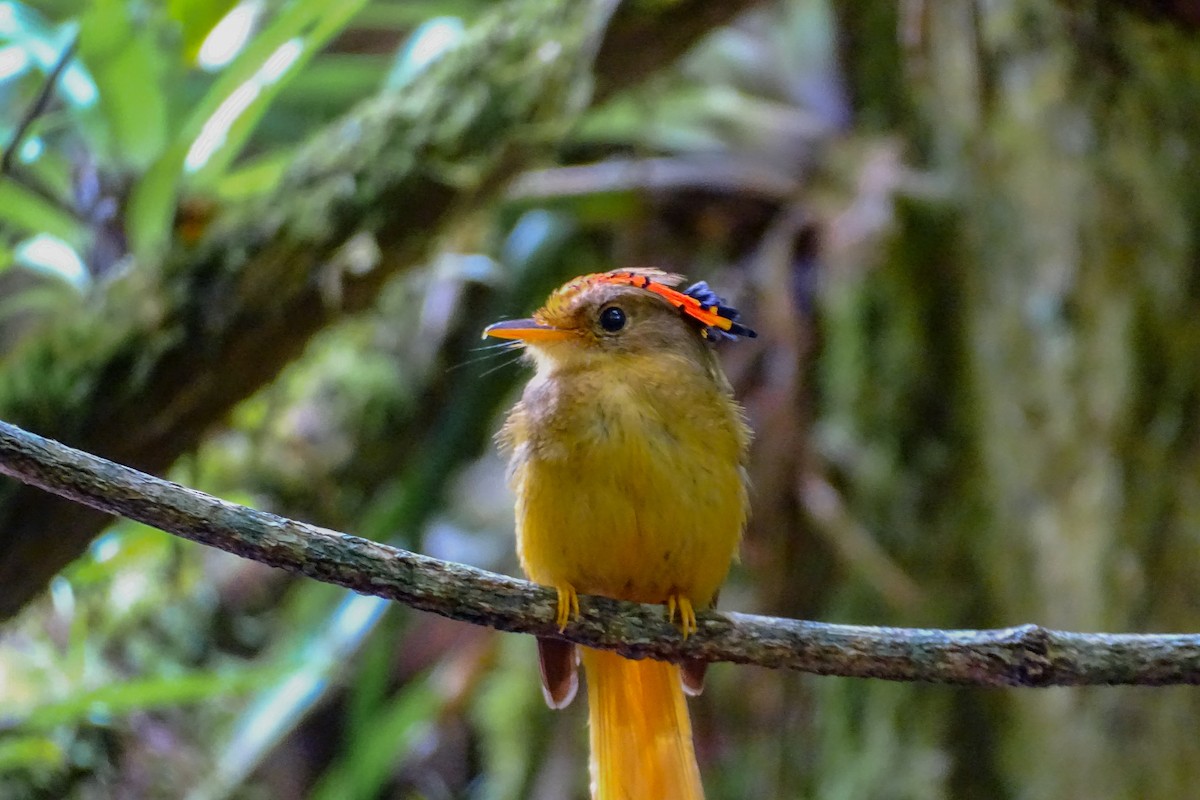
(1018, 380)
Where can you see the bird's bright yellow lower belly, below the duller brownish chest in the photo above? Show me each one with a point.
(644, 514)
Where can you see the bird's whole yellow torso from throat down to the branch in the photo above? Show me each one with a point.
(629, 479)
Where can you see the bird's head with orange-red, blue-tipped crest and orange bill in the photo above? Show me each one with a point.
(623, 312)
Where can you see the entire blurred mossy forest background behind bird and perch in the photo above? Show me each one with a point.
(968, 236)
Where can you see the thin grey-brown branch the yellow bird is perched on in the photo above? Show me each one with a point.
(1028, 655)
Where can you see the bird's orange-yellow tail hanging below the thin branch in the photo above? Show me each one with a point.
(641, 737)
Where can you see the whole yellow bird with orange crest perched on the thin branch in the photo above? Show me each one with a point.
(628, 460)
